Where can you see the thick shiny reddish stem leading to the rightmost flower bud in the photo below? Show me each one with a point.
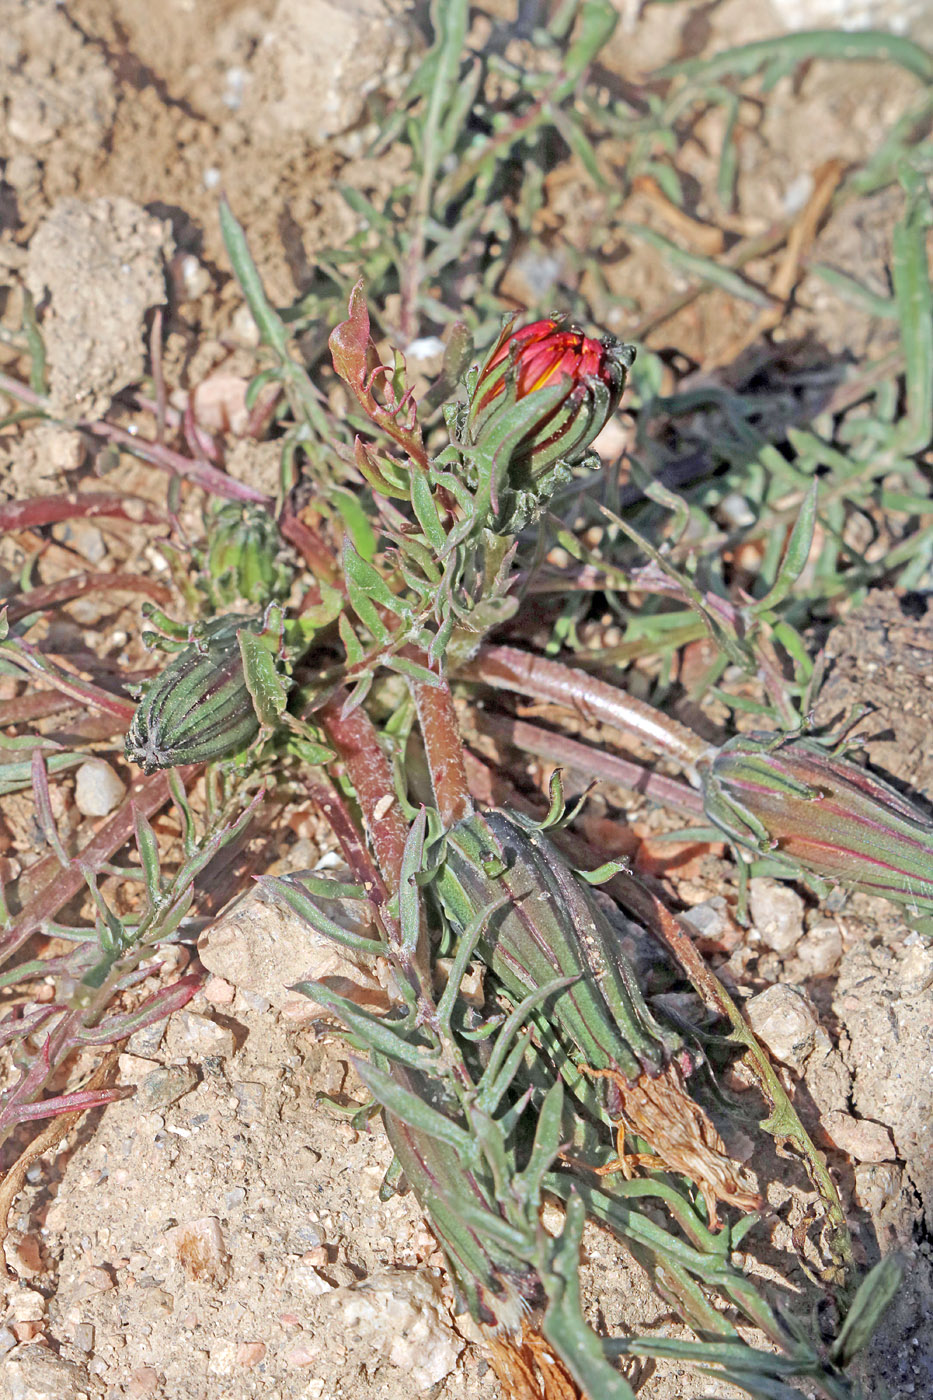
(508, 668)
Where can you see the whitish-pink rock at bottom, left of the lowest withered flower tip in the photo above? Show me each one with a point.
(400, 1318)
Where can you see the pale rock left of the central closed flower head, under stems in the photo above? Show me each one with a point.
(264, 950)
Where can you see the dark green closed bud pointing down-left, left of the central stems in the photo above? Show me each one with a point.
(200, 708)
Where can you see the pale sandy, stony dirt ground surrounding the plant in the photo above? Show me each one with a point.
(222, 1233)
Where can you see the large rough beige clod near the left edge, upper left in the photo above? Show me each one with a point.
(102, 265)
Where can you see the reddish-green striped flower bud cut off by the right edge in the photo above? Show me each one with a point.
(794, 800)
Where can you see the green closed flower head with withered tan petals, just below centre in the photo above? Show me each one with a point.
(553, 927)
